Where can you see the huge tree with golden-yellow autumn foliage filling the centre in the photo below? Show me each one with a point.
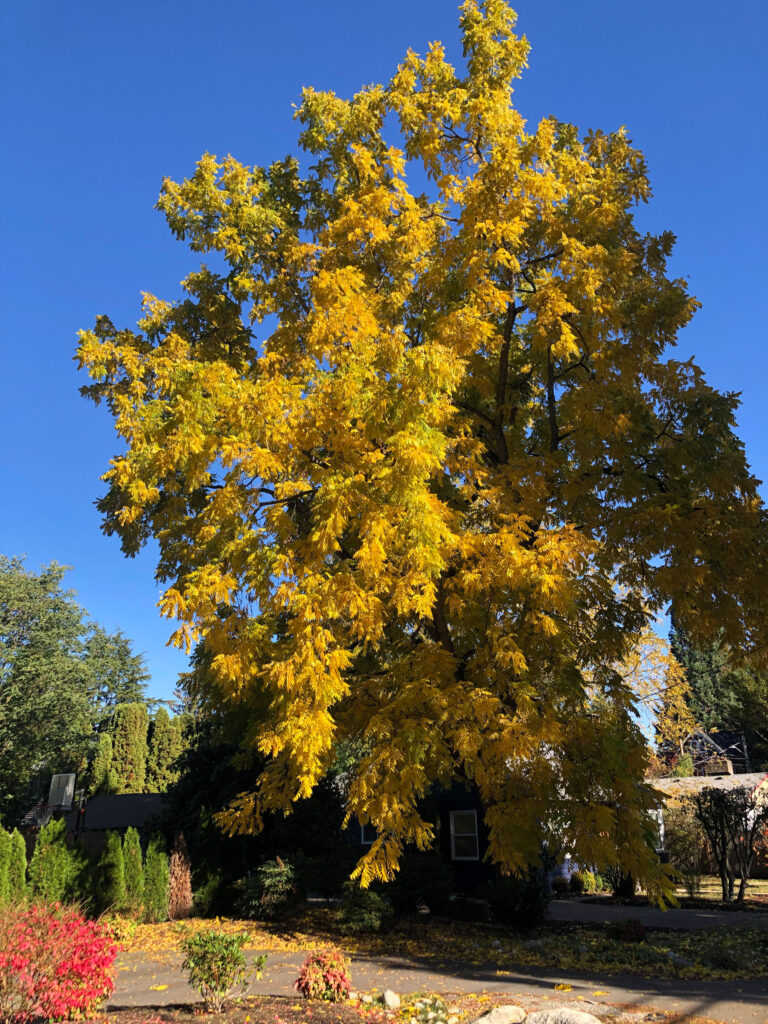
(418, 463)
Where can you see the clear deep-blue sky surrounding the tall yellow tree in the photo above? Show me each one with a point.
(100, 100)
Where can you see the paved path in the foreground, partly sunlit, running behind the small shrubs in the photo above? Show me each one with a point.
(156, 980)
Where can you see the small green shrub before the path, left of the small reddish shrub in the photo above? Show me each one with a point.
(218, 967)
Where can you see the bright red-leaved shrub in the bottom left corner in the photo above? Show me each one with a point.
(55, 964)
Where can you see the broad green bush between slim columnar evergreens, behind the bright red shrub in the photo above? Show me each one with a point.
(58, 874)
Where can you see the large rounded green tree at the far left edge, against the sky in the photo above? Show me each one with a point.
(46, 719)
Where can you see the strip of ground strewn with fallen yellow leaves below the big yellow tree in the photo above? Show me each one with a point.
(719, 953)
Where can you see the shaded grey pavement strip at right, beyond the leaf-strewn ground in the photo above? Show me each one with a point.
(582, 910)
